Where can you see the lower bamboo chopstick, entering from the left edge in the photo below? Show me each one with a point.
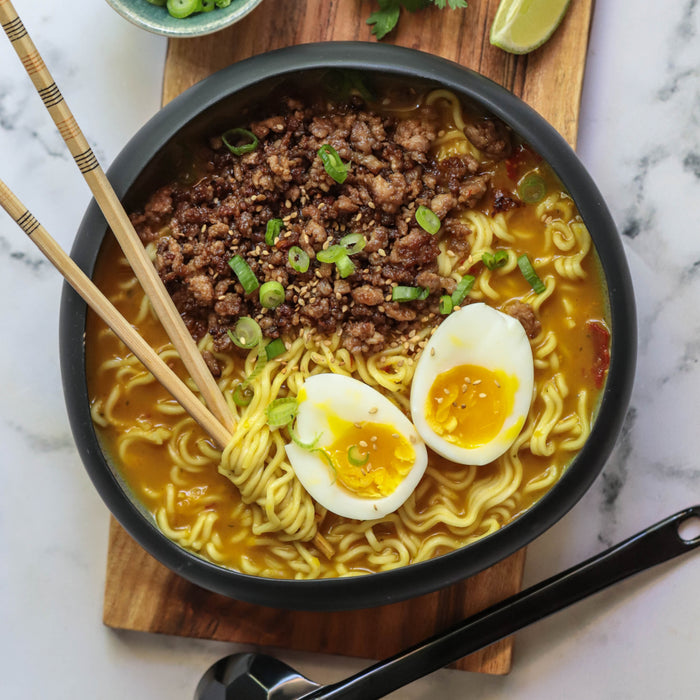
(84, 286)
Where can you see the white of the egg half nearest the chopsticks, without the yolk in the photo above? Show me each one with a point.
(324, 396)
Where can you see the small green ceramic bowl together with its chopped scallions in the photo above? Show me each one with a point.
(183, 18)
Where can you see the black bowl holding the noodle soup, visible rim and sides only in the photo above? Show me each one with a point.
(257, 77)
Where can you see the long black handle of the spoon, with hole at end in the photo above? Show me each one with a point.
(652, 546)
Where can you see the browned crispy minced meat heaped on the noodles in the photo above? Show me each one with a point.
(199, 227)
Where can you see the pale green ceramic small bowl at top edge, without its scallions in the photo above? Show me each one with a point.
(158, 20)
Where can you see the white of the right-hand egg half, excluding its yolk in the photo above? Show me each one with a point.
(479, 335)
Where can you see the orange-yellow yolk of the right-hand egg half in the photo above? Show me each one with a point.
(467, 405)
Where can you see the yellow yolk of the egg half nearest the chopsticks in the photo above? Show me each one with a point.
(369, 459)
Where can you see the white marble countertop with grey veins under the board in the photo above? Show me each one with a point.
(640, 138)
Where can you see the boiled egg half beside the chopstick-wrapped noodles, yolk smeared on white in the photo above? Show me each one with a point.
(361, 457)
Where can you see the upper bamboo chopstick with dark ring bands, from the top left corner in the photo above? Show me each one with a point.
(113, 212)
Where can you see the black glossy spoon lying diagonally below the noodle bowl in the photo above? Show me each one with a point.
(255, 676)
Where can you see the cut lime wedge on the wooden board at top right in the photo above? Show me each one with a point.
(521, 26)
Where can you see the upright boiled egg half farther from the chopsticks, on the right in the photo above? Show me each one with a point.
(472, 387)
